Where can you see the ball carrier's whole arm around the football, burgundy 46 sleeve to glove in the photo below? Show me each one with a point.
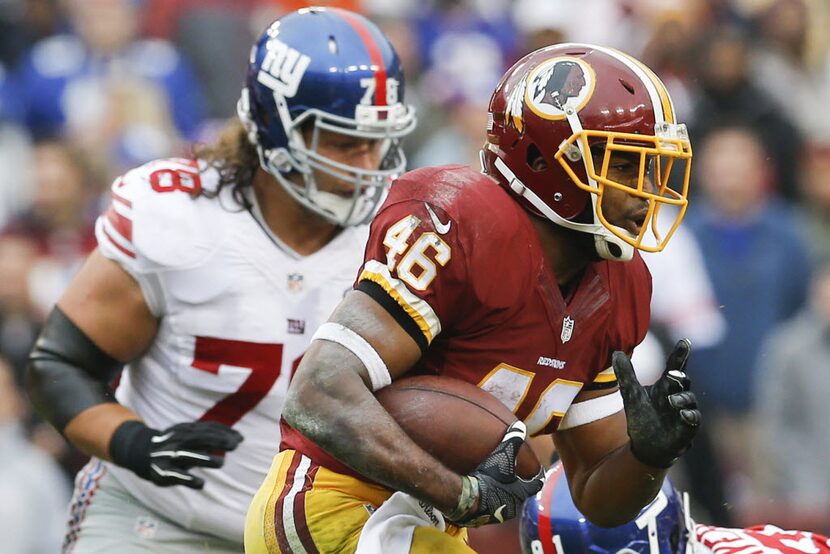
(412, 283)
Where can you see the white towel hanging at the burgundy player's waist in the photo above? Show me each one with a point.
(390, 527)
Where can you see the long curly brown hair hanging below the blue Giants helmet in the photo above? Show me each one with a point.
(234, 157)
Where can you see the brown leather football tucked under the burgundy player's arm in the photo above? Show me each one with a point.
(455, 421)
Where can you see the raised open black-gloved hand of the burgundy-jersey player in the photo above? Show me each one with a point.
(662, 418)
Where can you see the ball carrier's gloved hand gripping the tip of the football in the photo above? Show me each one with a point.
(493, 493)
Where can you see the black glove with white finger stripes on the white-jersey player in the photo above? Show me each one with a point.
(164, 457)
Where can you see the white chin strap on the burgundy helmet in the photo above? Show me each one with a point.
(608, 246)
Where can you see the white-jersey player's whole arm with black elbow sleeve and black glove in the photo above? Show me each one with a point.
(101, 321)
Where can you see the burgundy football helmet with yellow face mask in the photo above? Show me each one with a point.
(556, 119)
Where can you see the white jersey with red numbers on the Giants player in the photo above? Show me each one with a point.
(236, 312)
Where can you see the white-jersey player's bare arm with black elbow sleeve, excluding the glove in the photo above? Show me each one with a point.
(100, 322)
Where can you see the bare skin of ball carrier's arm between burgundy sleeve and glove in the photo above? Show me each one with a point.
(330, 401)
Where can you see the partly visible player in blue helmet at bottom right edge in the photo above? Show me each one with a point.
(551, 524)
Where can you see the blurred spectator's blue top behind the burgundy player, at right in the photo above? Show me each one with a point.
(760, 272)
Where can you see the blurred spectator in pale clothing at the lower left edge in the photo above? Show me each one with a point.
(33, 488)
